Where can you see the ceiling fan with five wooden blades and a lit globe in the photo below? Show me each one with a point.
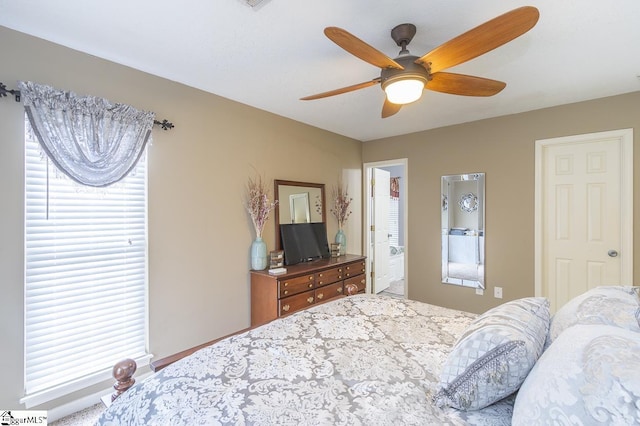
(404, 78)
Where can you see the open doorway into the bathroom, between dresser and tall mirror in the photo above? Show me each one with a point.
(386, 227)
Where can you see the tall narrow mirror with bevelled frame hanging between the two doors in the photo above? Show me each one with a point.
(463, 232)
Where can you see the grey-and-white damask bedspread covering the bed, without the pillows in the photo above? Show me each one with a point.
(359, 360)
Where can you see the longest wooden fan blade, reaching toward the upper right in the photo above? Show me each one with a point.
(481, 39)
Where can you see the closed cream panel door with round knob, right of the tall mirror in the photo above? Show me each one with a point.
(585, 215)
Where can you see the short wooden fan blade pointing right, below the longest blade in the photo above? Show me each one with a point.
(466, 85)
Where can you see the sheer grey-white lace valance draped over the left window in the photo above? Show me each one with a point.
(91, 140)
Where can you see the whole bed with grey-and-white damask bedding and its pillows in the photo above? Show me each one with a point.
(376, 360)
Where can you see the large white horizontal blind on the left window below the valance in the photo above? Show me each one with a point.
(85, 278)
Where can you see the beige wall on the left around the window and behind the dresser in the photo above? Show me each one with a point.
(199, 232)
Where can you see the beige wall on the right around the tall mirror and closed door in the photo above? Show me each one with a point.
(503, 148)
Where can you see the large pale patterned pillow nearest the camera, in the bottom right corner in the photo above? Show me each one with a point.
(590, 375)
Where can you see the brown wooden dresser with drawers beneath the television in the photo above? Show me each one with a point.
(303, 285)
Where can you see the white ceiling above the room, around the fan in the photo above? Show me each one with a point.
(270, 56)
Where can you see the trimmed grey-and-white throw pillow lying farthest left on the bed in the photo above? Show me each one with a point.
(493, 357)
